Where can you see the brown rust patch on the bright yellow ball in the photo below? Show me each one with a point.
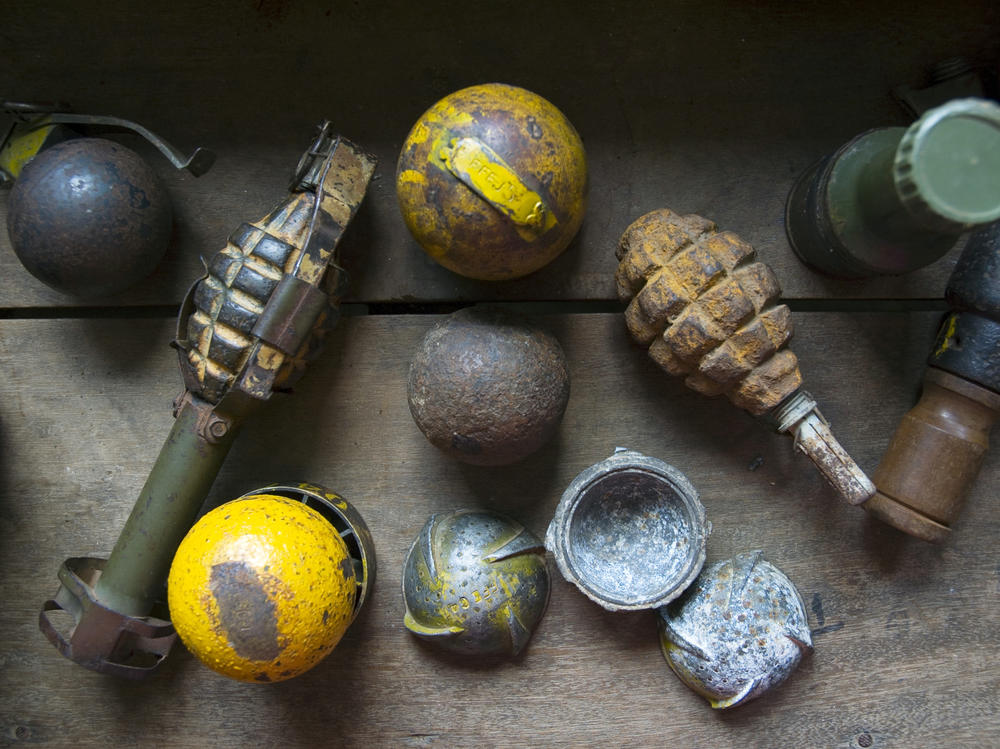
(246, 612)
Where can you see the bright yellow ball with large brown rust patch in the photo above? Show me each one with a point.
(262, 588)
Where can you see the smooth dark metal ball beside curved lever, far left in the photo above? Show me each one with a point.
(89, 218)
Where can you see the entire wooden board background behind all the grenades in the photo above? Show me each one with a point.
(711, 107)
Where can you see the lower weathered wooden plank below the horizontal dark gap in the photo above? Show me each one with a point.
(906, 634)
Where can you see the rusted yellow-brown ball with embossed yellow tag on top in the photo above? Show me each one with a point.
(492, 182)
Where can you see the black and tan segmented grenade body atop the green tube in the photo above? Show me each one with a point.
(258, 316)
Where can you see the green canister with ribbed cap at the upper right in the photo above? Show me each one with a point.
(893, 200)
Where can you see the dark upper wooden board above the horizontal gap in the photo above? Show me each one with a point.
(707, 107)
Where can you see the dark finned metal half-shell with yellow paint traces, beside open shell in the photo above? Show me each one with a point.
(476, 583)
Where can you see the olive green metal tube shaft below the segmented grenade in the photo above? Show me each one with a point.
(166, 509)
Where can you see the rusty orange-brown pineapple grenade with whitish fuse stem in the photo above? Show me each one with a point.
(707, 310)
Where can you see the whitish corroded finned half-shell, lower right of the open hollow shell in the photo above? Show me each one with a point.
(738, 631)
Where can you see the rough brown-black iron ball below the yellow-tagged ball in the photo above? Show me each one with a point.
(488, 387)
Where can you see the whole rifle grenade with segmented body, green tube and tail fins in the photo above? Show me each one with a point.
(245, 330)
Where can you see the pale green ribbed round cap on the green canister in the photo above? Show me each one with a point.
(947, 166)
